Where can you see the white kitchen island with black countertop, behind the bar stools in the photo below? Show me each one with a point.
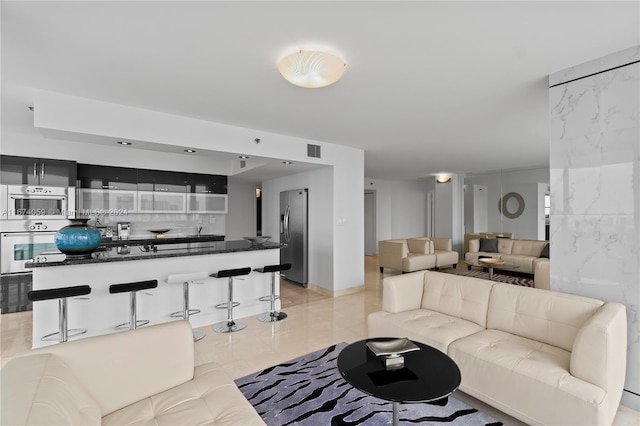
(100, 311)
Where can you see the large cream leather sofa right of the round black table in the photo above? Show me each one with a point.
(541, 356)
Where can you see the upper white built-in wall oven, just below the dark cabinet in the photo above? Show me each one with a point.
(26, 202)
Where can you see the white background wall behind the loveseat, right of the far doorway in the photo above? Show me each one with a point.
(401, 208)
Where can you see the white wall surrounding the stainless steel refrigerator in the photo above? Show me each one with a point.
(320, 223)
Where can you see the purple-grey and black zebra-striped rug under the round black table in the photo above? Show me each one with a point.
(309, 390)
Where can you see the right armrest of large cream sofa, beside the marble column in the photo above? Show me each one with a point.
(599, 350)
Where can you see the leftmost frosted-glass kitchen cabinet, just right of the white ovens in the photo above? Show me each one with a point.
(107, 201)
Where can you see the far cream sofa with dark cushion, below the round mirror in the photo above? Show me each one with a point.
(524, 253)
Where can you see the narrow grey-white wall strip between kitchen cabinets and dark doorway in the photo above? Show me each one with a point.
(241, 211)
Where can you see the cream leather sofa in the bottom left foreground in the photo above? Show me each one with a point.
(142, 376)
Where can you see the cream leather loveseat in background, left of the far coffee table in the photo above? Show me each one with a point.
(415, 254)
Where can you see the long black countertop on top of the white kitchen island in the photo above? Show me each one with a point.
(137, 252)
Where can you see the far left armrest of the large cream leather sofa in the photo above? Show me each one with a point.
(402, 292)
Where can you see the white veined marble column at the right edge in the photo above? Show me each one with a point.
(595, 189)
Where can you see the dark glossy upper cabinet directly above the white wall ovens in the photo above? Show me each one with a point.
(37, 171)
